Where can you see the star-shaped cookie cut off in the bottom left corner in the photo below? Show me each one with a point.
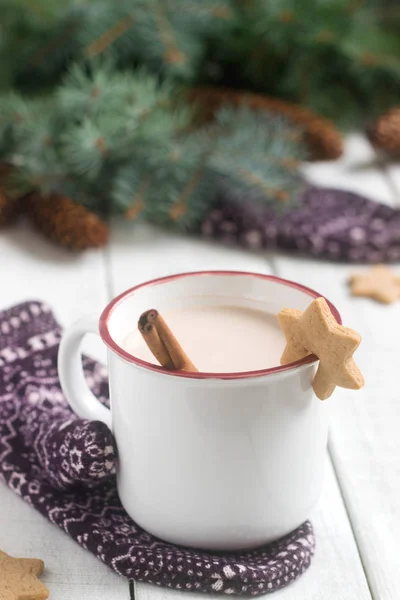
(19, 578)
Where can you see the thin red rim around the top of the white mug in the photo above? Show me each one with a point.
(108, 340)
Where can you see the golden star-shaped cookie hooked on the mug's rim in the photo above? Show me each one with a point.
(316, 331)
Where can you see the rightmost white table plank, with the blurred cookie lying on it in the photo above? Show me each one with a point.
(364, 440)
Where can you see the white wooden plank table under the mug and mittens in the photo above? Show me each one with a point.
(357, 522)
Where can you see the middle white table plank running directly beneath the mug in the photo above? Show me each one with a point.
(141, 252)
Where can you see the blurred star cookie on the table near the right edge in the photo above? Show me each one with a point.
(379, 283)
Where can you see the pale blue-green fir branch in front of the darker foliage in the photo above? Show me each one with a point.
(133, 152)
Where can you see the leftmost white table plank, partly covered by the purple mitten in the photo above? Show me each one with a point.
(32, 268)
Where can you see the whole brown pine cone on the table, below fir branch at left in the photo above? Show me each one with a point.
(66, 223)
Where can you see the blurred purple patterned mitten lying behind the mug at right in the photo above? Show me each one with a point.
(328, 223)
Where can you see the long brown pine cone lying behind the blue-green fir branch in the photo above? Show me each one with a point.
(324, 141)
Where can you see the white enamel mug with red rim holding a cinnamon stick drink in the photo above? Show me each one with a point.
(216, 461)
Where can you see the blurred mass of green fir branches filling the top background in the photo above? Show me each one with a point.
(101, 100)
